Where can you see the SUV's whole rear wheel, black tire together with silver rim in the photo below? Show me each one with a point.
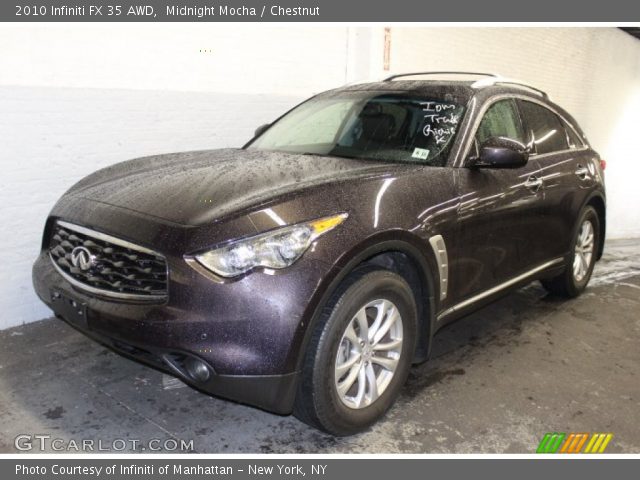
(574, 279)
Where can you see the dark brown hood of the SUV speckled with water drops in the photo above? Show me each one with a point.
(193, 188)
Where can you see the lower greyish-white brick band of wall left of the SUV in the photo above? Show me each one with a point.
(52, 137)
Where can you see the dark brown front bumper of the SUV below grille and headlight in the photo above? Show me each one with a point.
(249, 332)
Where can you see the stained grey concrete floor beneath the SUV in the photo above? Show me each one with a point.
(498, 381)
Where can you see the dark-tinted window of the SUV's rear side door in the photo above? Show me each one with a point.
(547, 130)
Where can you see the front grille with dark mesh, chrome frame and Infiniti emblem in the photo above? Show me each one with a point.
(111, 266)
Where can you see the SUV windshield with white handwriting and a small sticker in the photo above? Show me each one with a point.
(389, 127)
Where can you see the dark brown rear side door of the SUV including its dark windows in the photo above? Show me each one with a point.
(567, 172)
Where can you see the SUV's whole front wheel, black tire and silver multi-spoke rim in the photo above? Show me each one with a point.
(324, 399)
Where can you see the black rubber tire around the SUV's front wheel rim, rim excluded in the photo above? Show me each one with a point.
(318, 402)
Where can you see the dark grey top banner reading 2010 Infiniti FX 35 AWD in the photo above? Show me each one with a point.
(620, 11)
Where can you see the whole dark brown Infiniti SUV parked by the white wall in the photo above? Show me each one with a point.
(308, 270)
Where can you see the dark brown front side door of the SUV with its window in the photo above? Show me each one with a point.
(498, 211)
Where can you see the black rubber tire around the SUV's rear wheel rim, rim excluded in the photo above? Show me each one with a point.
(566, 284)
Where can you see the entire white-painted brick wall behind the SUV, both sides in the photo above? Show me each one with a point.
(76, 98)
